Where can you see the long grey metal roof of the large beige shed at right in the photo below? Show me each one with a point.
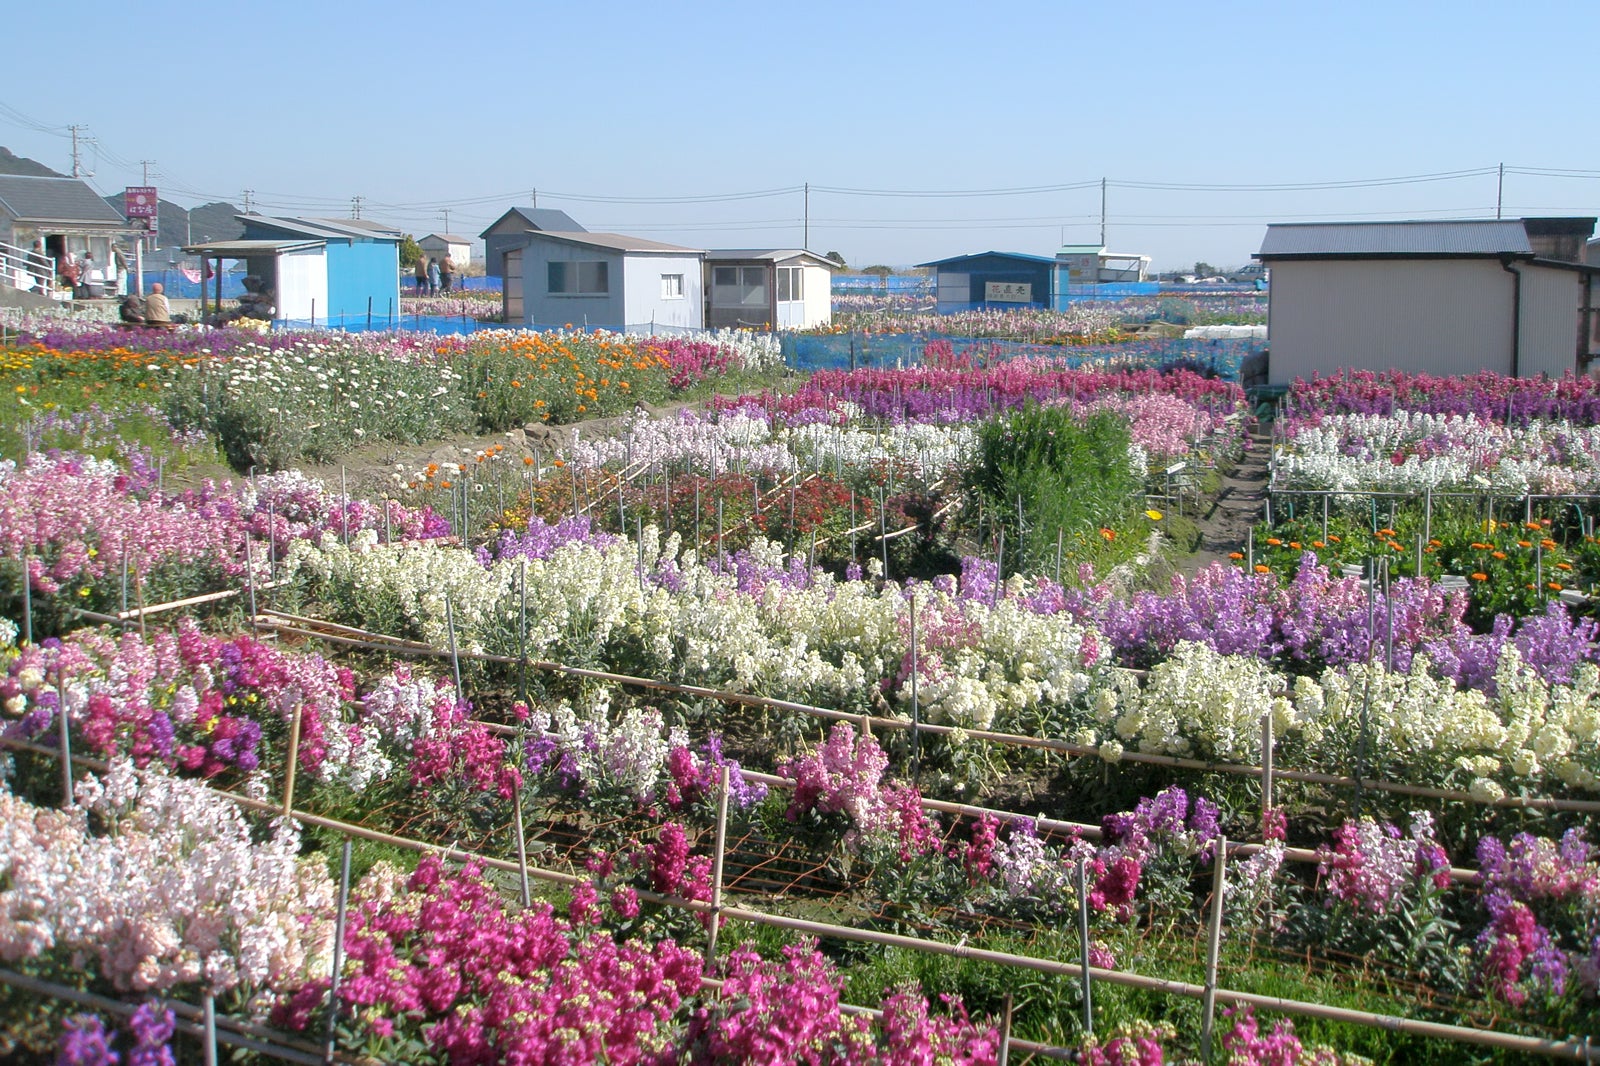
(1463, 238)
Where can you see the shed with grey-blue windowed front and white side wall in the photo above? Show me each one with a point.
(604, 281)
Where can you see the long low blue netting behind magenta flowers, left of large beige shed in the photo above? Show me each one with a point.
(846, 351)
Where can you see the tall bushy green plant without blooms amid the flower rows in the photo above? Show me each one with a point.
(1068, 476)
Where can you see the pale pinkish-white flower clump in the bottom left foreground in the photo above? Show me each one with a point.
(175, 894)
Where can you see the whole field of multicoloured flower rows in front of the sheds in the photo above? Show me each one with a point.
(873, 718)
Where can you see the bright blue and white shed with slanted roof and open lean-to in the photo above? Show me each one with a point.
(319, 270)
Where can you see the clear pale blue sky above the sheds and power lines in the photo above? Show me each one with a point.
(471, 106)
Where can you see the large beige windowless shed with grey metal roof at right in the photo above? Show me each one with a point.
(1431, 297)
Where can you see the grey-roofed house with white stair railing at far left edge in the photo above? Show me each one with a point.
(42, 220)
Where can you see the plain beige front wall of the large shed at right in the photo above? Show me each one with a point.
(1422, 316)
